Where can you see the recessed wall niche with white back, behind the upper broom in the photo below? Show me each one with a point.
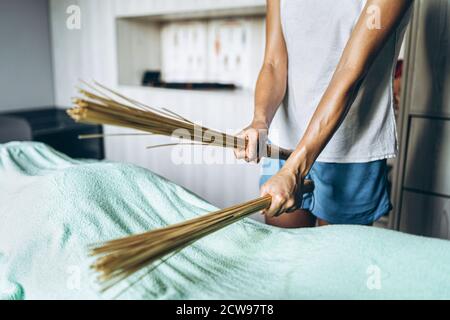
(222, 46)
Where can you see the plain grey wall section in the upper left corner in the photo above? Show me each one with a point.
(25, 55)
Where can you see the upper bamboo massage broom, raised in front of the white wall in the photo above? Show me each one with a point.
(118, 110)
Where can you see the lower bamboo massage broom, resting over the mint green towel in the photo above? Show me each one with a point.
(120, 258)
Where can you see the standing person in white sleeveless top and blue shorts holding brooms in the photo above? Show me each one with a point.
(334, 62)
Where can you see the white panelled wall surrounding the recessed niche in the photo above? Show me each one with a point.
(90, 53)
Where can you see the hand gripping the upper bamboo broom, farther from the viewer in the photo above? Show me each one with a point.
(255, 137)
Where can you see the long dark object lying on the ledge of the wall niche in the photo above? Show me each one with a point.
(153, 79)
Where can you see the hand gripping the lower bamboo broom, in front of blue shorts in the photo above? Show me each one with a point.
(284, 188)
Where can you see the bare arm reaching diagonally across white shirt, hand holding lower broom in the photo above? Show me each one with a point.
(359, 53)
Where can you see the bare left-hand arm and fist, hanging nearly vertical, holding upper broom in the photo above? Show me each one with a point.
(271, 84)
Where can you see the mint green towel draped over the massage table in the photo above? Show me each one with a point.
(52, 207)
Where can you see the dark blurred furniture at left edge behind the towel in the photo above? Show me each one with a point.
(53, 127)
